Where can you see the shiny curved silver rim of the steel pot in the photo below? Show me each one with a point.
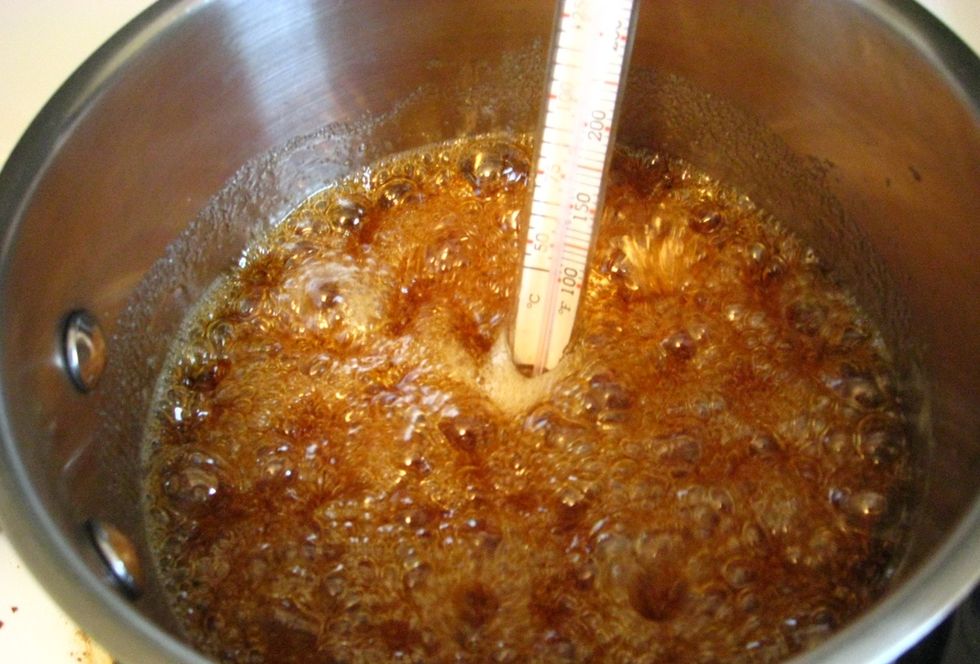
(880, 635)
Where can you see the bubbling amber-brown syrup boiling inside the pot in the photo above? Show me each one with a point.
(344, 465)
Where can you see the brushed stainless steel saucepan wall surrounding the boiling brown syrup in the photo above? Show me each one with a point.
(856, 123)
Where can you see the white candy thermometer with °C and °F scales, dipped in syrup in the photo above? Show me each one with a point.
(588, 64)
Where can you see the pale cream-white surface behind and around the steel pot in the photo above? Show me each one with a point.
(41, 44)
